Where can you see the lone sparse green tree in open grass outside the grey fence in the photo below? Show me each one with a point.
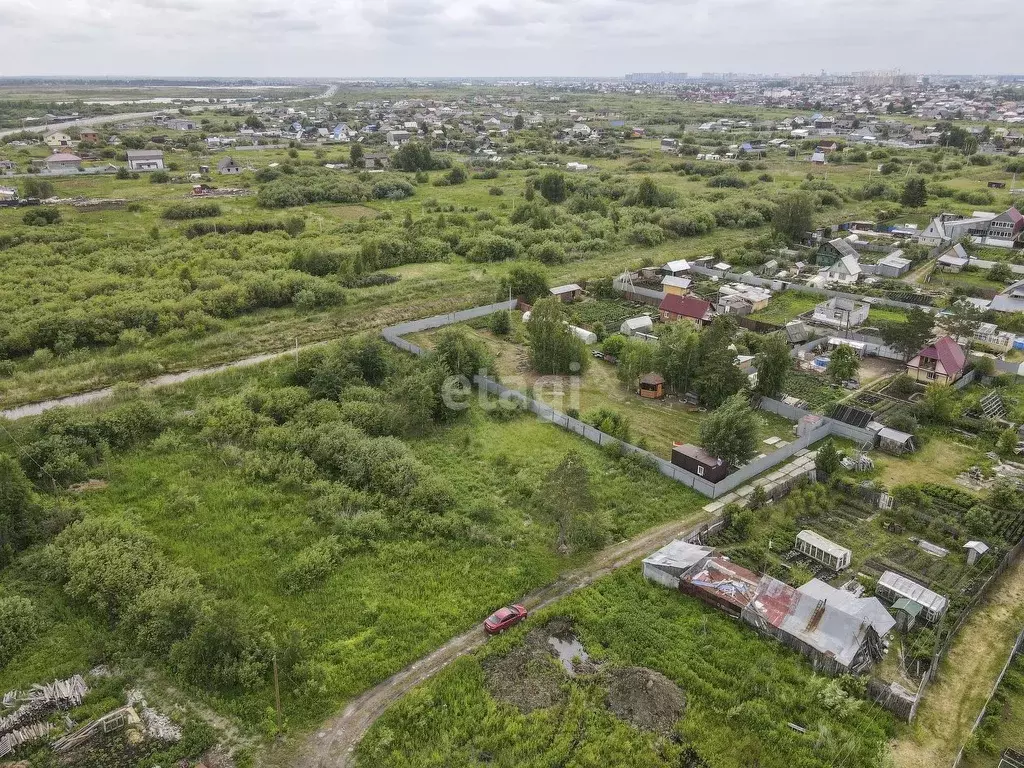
(566, 498)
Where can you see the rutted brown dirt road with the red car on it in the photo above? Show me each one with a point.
(333, 744)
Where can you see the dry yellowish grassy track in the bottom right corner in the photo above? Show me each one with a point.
(952, 705)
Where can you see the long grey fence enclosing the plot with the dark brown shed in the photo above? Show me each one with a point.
(394, 335)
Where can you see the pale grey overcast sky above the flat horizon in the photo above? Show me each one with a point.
(362, 38)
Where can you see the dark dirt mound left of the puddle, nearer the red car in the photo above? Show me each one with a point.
(527, 677)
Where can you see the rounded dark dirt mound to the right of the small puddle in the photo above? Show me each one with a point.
(646, 699)
